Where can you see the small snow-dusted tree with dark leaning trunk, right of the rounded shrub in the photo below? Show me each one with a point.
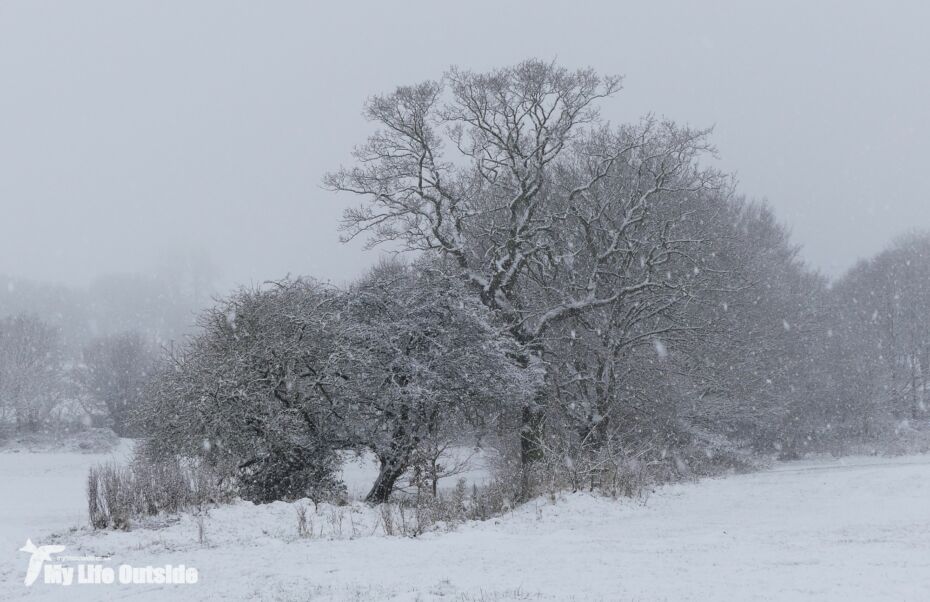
(420, 354)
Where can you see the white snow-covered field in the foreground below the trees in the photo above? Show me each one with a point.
(853, 529)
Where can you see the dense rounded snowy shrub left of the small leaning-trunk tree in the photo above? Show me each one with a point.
(254, 395)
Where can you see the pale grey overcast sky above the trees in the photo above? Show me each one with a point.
(134, 130)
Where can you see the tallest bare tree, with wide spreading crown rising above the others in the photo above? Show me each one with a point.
(510, 173)
